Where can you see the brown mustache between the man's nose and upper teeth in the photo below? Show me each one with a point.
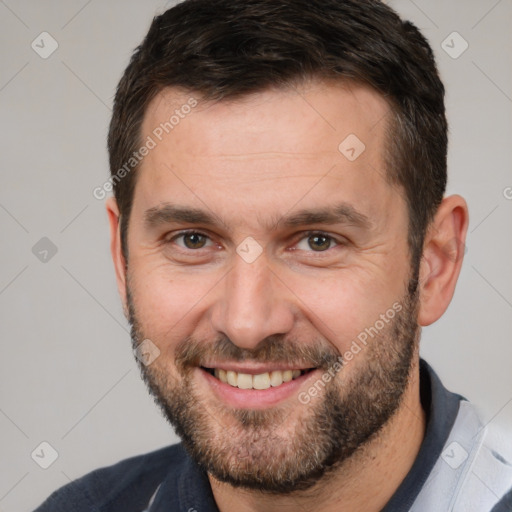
(191, 352)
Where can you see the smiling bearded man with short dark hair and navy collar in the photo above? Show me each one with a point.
(280, 235)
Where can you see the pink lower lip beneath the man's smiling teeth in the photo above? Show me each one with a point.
(255, 398)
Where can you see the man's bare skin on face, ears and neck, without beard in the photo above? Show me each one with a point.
(250, 163)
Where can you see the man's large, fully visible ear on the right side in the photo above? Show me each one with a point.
(443, 252)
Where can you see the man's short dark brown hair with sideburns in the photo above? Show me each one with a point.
(222, 49)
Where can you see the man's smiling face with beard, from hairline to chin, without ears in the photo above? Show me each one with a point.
(259, 251)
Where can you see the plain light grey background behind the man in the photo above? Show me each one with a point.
(67, 372)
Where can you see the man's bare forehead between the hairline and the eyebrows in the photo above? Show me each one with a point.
(267, 151)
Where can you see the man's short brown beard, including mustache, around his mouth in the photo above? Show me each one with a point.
(264, 449)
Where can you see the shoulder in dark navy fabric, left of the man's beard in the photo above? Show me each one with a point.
(126, 486)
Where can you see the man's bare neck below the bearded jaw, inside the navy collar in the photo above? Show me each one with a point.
(380, 466)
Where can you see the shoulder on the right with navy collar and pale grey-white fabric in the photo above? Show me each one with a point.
(470, 457)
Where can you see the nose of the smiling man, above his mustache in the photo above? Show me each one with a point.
(252, 304)
